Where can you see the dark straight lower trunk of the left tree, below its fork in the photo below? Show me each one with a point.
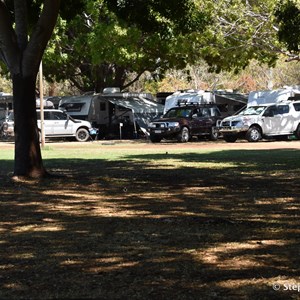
(28, 158)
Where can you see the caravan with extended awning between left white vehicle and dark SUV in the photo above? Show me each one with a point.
(114, 113)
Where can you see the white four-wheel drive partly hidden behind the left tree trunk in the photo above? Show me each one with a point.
(56, 124)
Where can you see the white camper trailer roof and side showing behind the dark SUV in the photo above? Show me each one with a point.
(227, 102)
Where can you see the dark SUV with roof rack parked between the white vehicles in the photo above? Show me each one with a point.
(184, 121)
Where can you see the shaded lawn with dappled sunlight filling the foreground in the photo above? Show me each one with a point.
(201, 225)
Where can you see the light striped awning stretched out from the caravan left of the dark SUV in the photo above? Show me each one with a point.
(144, 110)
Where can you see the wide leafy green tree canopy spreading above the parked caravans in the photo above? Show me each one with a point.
(111, 39)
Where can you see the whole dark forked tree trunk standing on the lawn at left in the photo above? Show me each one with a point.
(22, 50)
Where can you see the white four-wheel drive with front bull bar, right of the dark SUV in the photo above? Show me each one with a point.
(277, 120)
